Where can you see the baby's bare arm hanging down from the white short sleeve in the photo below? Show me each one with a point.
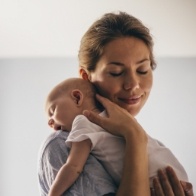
(70, 171)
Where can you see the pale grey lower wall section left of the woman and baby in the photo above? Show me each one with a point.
(24, 86)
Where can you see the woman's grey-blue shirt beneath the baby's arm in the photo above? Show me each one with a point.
(93, 181)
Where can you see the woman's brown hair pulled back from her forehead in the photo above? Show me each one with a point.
(110, 27)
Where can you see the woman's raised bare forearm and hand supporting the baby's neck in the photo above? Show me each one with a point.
(135, 172)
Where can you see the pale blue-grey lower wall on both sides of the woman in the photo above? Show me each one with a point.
(169, 115)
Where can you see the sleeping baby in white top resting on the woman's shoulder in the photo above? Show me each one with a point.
(64, 106)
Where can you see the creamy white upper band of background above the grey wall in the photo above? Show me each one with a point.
(37, 28)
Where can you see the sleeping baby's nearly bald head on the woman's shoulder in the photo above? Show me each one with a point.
(67, 100)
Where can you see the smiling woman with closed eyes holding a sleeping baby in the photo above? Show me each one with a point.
(116, 56)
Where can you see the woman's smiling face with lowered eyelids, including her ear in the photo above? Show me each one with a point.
(123, 74)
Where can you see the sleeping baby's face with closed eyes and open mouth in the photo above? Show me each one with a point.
(61, 112)
